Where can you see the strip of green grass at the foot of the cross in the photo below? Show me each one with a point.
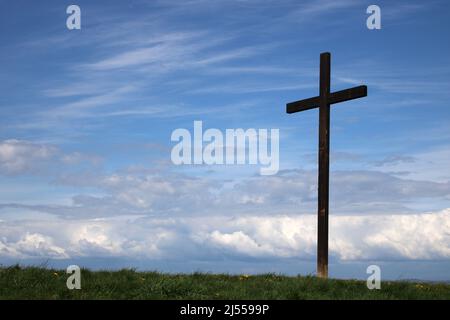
(40, 283)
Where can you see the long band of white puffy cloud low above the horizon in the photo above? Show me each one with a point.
(424, 236)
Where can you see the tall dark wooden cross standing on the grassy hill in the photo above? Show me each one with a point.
(323, 102)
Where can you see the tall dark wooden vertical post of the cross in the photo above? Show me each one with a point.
(324, 167)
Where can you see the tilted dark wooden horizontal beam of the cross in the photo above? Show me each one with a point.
(335, 97)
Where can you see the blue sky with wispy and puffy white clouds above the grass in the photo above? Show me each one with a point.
(86, 117)
